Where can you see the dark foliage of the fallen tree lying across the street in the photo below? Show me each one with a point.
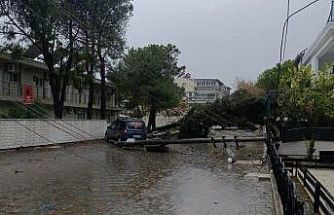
(240, 109)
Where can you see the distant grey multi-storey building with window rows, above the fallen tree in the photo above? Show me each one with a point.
(209, 90)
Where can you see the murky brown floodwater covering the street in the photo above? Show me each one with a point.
(100, 179)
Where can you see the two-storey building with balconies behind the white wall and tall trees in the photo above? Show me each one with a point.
(15, 75)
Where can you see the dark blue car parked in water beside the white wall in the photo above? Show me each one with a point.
(126, 128)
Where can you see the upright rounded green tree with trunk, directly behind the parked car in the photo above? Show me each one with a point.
(146, 79)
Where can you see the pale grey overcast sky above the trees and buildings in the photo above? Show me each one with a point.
(226, 39)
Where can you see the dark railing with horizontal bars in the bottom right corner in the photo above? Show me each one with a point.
(322, 199)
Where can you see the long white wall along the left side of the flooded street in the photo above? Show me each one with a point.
(28, 133)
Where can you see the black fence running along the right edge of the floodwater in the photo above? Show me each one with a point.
(292, 204)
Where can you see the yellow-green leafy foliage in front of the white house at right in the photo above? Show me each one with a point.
(303, 95)
